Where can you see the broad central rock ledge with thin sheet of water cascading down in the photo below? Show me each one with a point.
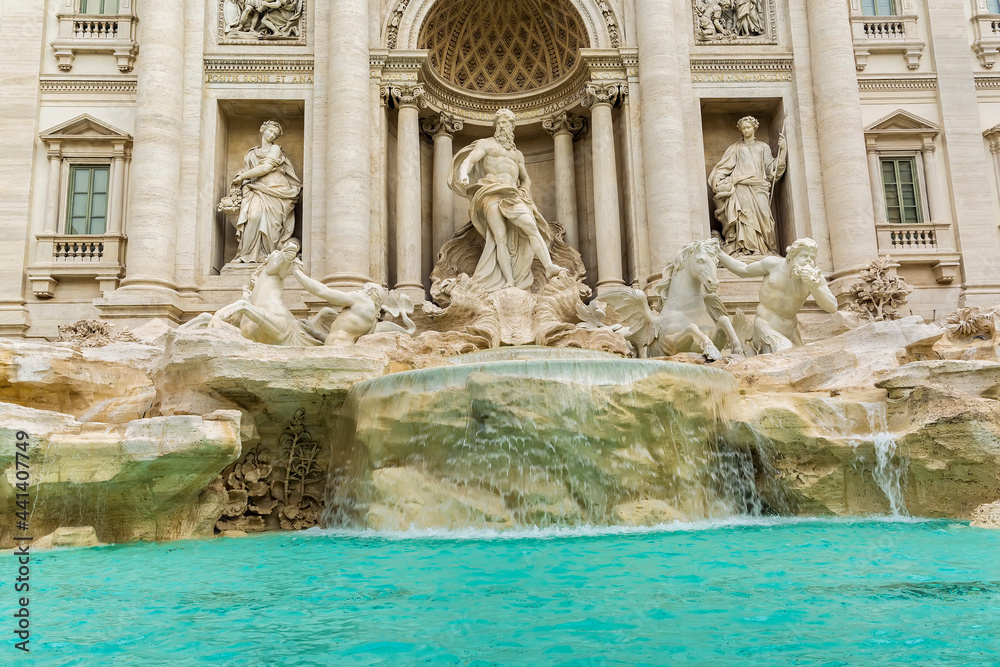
(539, 438)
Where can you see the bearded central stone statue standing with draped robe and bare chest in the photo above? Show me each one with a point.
(491, 173)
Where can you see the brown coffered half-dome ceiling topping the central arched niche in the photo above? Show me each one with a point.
(502, 47)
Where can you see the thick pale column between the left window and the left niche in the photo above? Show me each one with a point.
(155, 179)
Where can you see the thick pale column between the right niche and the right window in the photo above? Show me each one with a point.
(848, 197)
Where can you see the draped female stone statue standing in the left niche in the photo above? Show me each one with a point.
(269, 191)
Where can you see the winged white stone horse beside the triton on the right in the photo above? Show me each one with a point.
(692, 317)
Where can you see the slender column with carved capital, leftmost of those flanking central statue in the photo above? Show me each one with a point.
(408, 204)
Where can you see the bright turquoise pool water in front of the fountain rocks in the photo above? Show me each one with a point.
(756, 592)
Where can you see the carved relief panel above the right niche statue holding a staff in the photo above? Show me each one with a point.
(734, 21)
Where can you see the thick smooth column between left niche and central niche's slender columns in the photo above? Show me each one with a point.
(348, 209)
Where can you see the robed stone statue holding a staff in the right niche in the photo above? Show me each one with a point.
(742, 183)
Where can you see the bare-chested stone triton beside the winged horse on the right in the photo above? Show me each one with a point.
(787, 284)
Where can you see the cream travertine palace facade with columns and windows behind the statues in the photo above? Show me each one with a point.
(125, 128)
